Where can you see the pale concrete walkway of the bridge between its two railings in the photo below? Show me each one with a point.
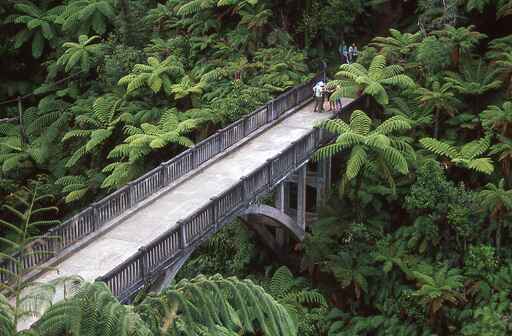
(111, 249)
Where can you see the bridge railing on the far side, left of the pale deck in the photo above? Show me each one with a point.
(98, 214)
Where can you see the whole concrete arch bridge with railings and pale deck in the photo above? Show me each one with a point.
(143, 233)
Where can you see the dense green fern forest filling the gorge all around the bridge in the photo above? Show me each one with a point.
(415, 239)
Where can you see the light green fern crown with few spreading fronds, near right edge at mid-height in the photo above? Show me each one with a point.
(466, 156)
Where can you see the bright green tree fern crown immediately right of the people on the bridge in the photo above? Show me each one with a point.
(372, 81)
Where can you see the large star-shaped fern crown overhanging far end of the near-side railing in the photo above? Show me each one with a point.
(370, 148)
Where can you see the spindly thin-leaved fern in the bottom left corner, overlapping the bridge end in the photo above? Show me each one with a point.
(26, 299)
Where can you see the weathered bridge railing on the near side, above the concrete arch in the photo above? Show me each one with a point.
(132, 274)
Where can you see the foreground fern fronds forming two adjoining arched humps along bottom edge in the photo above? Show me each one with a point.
(204, 305)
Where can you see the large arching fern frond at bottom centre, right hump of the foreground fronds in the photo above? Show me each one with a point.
(237, 305)
